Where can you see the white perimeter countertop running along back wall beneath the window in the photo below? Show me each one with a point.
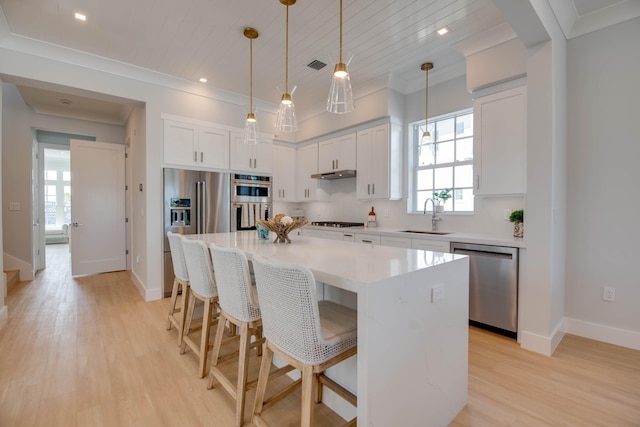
(481, 239)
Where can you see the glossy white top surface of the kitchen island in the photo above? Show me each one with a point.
(338, 263)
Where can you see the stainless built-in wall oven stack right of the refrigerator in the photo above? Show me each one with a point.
(250, 200)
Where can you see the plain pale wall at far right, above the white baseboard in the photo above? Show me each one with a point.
(603, 177)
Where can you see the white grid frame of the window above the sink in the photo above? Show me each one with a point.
(415, 130)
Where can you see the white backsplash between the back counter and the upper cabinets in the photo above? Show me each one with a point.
(488, 217)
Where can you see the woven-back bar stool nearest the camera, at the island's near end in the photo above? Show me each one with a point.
(308, 334)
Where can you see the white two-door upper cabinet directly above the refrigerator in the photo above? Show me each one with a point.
(188, 144)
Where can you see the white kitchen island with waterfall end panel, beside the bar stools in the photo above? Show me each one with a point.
(412, 322)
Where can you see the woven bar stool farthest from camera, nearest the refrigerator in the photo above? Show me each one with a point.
(181, 280)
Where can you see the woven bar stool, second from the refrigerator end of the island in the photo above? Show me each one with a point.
(202, 286)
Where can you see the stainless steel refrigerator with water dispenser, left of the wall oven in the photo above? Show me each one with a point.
(194, 202)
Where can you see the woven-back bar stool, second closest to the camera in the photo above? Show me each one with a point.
(239, 306)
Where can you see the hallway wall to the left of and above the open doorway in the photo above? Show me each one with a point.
(19, 120)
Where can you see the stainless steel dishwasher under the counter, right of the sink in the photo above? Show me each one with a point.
(493, 286)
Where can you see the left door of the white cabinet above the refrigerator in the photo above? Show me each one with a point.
(180, 143)
